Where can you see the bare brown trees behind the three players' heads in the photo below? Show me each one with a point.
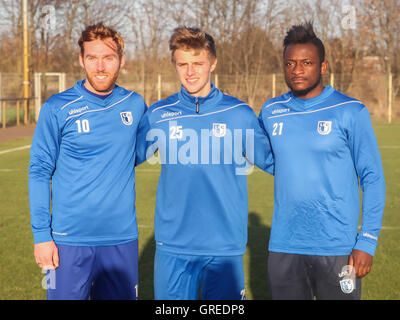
(248, 34)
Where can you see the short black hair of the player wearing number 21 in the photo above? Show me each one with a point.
(304, 33)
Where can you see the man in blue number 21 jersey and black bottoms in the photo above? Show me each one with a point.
(324, 150)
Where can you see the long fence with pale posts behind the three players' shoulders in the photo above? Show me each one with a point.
(379, 92)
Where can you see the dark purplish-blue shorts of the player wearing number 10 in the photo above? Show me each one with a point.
(96, 272)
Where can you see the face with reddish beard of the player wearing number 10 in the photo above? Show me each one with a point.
(101, 63)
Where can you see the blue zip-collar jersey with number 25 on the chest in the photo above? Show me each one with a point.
(205, 145)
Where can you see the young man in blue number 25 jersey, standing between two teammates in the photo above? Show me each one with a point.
(206, 140)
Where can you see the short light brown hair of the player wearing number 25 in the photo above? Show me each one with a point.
(191, 38)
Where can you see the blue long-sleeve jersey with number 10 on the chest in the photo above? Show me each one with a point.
(85, 146)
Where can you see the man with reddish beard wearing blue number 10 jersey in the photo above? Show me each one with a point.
(84, 145)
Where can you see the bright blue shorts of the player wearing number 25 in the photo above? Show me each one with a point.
(182, 277)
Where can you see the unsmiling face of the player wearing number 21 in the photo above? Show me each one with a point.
(303, 70)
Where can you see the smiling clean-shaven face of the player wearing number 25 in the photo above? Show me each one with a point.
(194, 69)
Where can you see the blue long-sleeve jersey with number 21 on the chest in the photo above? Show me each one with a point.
(324, 150)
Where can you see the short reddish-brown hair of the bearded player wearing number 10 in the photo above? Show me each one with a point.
(101, 32)
